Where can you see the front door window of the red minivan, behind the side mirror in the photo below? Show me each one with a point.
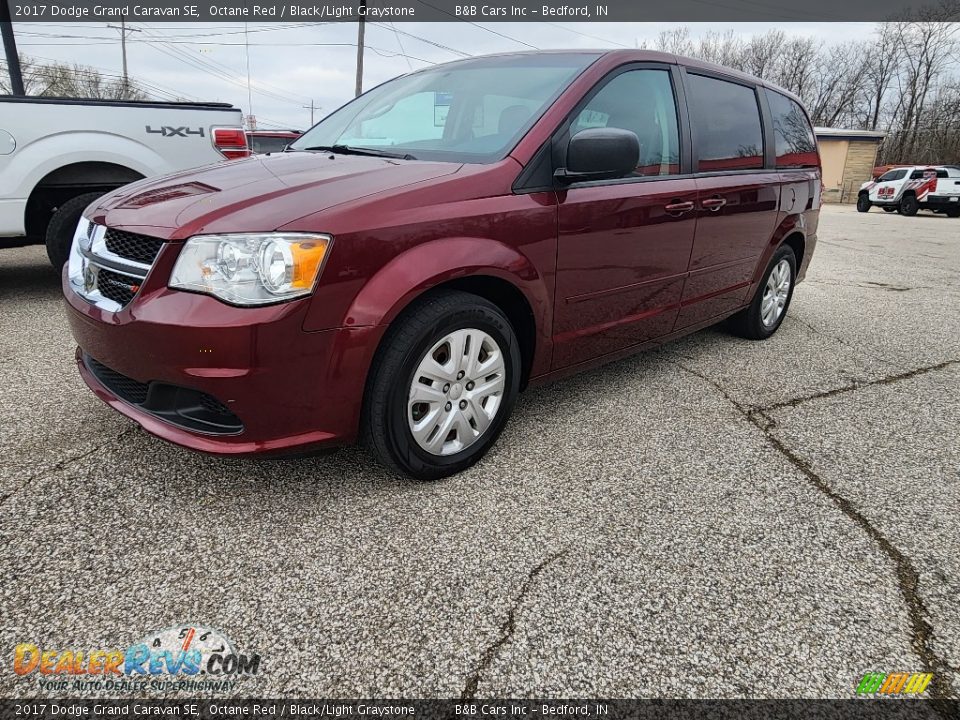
(640, 101)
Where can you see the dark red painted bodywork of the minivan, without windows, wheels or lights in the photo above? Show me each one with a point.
(606, 270)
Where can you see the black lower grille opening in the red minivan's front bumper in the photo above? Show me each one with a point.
(180, 406)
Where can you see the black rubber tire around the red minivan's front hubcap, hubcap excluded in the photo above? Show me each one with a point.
(385, 428)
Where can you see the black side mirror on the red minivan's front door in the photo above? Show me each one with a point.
(600, 154)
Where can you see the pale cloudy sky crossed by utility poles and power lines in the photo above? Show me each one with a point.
(292, 64)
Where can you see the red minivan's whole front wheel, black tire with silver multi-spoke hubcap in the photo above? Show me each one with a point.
(442, 386)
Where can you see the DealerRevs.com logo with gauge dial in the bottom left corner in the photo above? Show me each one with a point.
(183, 657)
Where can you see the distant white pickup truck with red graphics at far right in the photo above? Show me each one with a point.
(909, 189)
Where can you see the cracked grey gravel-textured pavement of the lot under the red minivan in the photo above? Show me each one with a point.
(721, 518)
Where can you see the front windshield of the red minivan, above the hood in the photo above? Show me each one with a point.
(472, 111)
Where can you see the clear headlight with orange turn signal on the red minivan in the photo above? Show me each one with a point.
(251, 268)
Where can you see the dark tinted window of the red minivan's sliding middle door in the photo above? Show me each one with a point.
(726, 122)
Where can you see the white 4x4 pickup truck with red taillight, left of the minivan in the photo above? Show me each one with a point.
(57, 155)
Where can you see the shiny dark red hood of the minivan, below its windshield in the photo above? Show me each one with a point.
(257, 194)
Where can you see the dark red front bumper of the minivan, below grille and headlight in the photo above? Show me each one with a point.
(288, 389)
